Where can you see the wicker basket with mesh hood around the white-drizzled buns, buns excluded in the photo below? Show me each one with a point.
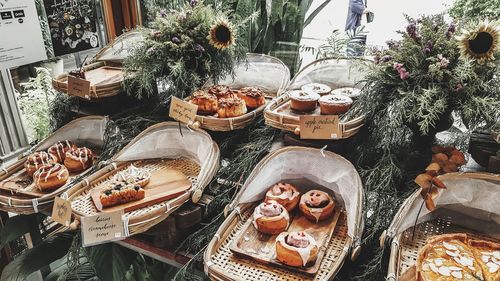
(93, 137)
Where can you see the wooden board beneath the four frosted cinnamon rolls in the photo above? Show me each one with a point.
(261, 247)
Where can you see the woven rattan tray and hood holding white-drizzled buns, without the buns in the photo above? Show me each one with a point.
(30, 200)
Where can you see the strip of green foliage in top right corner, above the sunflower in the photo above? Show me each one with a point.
(475, 9)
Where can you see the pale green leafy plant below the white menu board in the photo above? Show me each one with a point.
(34, 101)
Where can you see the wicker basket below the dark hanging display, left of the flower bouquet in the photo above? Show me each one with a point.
(105, 70)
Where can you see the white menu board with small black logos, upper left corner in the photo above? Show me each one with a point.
(21, 40)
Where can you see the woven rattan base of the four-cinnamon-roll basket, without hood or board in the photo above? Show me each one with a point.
(222, 264)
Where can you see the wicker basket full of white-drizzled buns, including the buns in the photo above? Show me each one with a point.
(48, 169)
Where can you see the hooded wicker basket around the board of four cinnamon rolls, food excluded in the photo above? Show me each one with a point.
(222, 264)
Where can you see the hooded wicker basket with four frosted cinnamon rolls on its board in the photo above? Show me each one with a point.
(298, 216)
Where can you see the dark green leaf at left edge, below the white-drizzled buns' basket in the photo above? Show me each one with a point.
(17, 226)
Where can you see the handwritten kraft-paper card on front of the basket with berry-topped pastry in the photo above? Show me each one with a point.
(102, 228)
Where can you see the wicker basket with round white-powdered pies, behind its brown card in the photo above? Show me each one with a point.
(325, 87)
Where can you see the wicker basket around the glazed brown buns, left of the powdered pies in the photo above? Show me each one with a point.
(263, 71)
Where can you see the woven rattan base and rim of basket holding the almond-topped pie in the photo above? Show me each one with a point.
(406, 245)
